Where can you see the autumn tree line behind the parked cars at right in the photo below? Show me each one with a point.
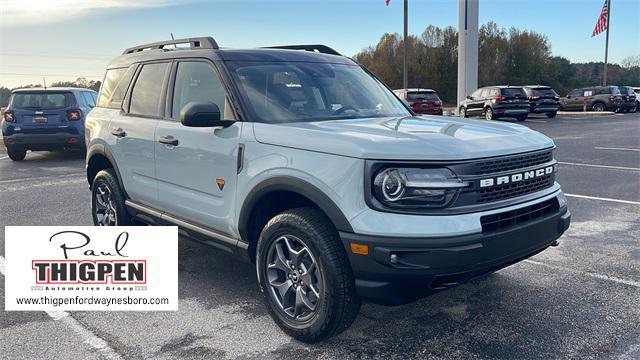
(505, 57)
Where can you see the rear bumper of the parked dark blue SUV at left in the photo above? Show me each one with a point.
(36, 142)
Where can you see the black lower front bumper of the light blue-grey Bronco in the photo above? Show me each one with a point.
(400, 270)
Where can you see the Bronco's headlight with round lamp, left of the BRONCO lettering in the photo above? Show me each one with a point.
(415, 188)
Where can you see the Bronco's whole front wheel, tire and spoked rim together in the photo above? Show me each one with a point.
(305, 275)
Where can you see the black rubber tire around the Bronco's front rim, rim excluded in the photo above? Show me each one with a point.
(338, 305)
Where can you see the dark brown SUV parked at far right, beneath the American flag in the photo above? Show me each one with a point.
(597, 98)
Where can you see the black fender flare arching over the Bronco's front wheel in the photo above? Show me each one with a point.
(296, 185)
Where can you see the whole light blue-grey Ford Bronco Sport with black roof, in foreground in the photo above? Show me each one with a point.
(301, 161)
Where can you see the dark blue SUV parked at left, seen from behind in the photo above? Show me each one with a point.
(45, 119)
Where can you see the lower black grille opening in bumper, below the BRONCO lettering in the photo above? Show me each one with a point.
(509, 219)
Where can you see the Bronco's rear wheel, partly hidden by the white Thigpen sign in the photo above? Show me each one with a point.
(107, 200)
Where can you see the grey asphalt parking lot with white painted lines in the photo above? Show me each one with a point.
(578, 300)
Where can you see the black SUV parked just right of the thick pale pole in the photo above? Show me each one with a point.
(494, 102)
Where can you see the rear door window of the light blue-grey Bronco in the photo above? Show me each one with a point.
(147, 91)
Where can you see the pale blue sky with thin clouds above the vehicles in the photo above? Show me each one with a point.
(65, 39)
